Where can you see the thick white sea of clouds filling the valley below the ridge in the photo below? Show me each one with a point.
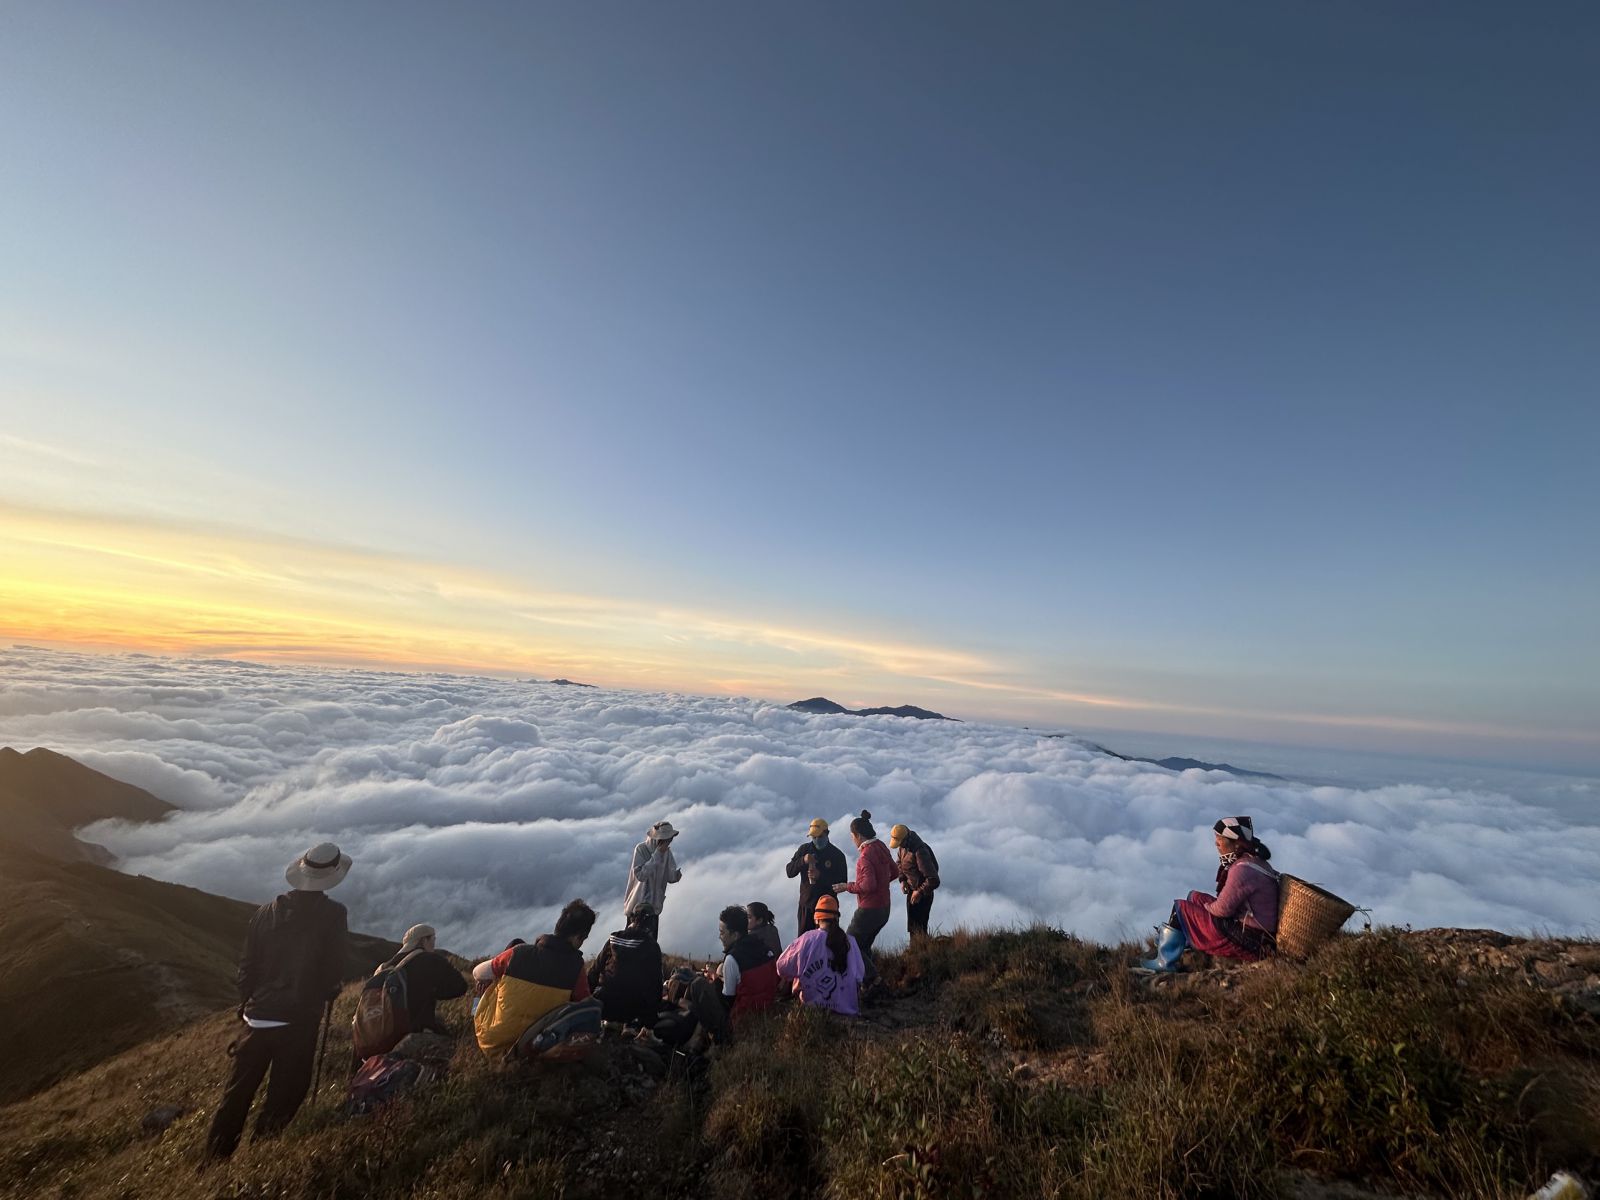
(482, 806)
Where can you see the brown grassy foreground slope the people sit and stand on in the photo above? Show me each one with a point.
(1009, 1065)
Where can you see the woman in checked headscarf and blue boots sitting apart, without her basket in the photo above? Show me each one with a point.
(1241, 921)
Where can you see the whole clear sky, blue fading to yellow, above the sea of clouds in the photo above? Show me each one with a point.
(1223, 372)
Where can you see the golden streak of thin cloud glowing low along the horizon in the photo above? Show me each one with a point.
(186, 588)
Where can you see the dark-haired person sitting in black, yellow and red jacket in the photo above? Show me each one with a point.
(530, 982)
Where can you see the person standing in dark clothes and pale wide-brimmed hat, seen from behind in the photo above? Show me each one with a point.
(292, 967)
